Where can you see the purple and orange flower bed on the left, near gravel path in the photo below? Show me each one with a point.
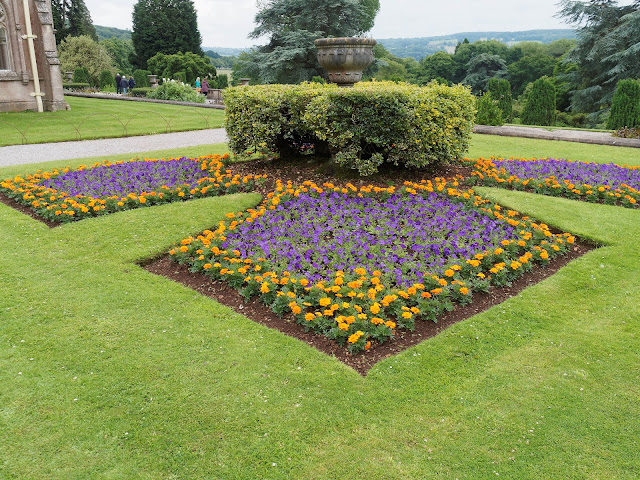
(67, 194)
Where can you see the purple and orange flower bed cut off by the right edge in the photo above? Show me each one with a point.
(592, 182)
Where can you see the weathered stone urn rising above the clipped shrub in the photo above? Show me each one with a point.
(345, 58)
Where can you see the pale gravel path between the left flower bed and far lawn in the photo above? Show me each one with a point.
(42, 152)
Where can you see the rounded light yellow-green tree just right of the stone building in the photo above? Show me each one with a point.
(85, 52)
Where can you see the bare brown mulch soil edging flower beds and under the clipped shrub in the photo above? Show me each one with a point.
(298, 172)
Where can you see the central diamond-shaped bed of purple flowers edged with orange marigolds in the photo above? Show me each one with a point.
(357, 264)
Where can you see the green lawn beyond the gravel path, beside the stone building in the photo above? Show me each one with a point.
(97, 118)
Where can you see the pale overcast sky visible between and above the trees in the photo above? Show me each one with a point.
(227, 23)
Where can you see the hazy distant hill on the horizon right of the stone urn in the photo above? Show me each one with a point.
(419, 48)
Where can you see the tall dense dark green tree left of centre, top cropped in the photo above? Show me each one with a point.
(164, 26)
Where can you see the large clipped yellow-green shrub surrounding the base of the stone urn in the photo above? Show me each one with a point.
(361, 127)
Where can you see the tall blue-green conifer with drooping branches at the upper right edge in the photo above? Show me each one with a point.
(606, 51)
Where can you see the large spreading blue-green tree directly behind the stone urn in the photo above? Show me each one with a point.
(292, 26)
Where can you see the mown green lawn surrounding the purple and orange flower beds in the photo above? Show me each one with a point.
(110, 372)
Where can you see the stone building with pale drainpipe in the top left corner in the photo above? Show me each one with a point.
(28, 50)
